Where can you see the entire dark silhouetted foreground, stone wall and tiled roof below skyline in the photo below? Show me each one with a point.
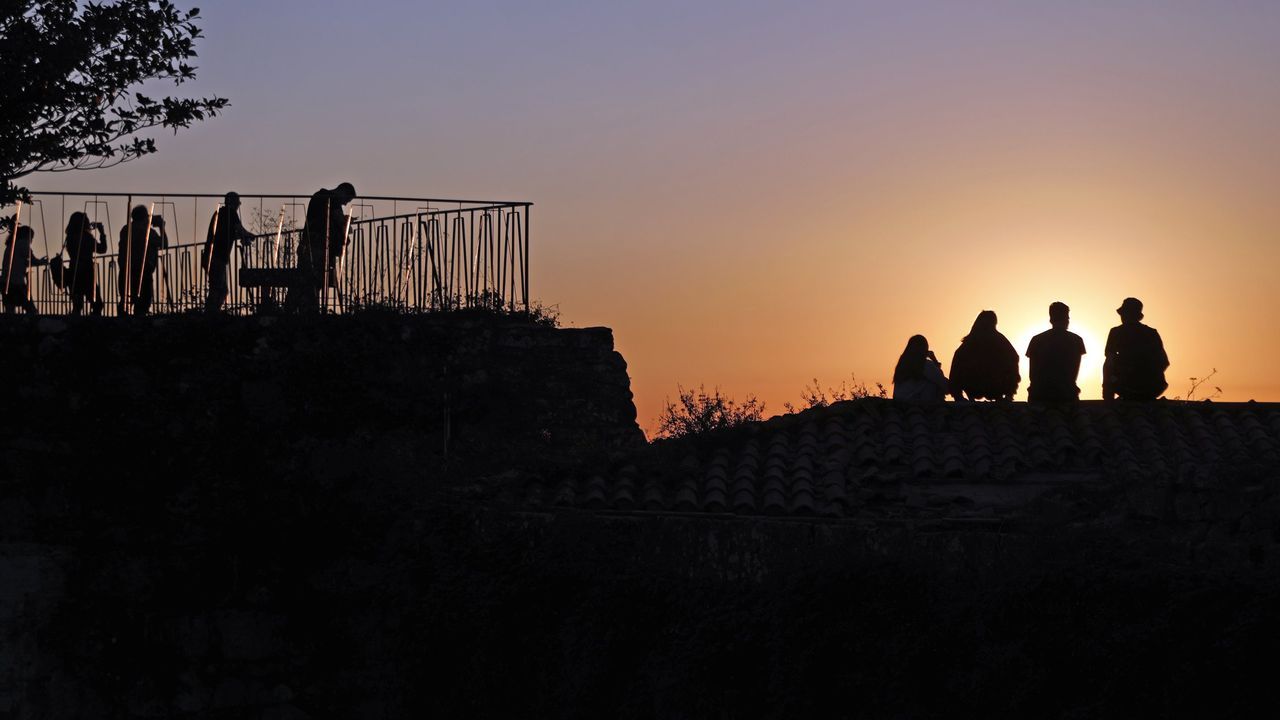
(464, 525)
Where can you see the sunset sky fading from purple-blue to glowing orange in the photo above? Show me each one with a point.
(758, 194)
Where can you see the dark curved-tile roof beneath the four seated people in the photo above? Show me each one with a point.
(848, 459)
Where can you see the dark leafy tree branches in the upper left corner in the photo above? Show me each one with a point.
(72, 75)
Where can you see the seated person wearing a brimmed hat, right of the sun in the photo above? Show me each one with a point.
(1136, 361)
